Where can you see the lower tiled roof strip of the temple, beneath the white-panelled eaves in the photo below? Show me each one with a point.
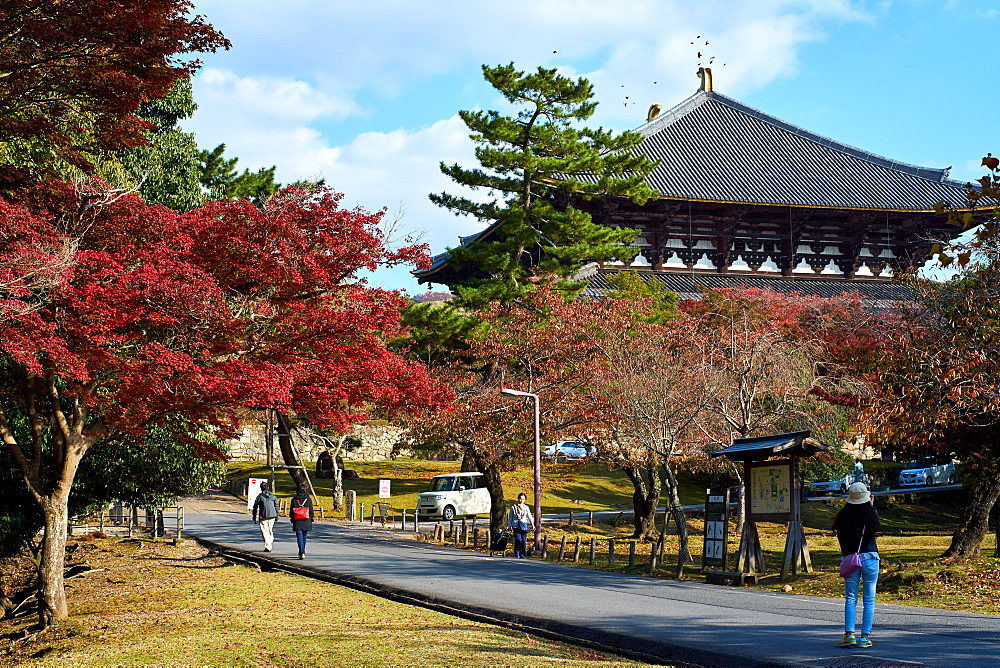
(875, 293)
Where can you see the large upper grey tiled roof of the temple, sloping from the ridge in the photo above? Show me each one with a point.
(713, 148)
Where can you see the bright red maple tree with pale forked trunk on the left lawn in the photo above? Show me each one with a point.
(169, 321)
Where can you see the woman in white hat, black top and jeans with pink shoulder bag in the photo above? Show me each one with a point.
(856, 525)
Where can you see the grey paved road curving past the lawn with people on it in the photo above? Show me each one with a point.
(658, 621)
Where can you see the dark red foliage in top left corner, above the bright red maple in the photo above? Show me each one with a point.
(73, 76)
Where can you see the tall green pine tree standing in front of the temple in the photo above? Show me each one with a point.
(530, 164)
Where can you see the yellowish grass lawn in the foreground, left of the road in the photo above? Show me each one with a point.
(152, 603)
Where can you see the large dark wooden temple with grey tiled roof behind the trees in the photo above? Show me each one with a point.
(748, 200)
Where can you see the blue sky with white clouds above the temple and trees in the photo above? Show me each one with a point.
(366, 95)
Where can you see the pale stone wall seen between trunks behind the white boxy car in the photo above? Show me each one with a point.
(377, 443)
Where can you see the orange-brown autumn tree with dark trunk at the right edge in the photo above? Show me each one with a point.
(936, 387)
